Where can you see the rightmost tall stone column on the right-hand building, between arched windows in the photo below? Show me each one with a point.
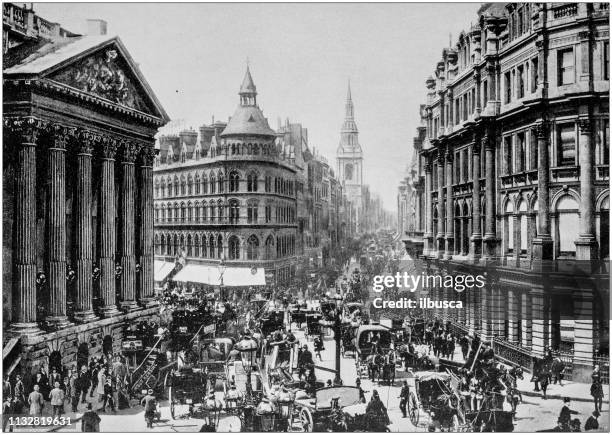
(586, 245)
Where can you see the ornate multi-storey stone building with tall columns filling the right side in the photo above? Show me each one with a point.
(515, 163)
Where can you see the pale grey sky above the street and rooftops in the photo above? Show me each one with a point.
(301, 57)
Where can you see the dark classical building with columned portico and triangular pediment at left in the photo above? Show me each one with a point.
(77, 193)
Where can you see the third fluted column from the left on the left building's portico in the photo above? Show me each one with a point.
(83, 312)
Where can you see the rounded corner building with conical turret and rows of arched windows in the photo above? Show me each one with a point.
(230, 197)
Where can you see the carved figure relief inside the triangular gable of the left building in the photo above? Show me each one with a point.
(106, 74)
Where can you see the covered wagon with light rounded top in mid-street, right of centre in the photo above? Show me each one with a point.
(374, 352)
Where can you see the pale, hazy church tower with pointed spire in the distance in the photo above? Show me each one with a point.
(349, 157)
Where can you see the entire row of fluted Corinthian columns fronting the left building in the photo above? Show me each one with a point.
(29, 134)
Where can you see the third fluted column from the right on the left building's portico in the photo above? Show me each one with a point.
(108, 237)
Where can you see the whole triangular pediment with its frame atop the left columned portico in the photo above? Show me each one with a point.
(109, 74)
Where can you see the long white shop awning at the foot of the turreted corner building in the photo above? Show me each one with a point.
(232, 276)
